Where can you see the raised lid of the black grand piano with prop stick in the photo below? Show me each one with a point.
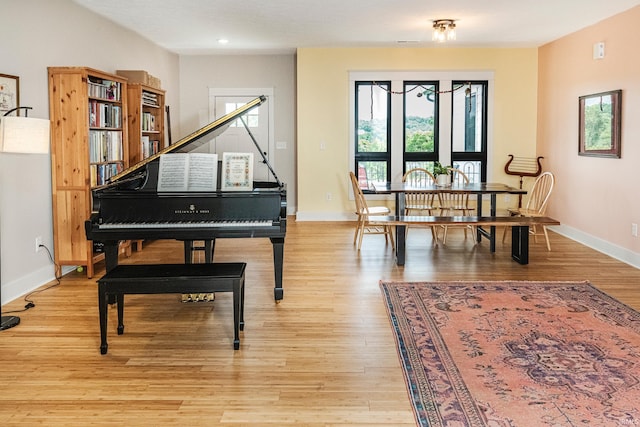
(190, 142)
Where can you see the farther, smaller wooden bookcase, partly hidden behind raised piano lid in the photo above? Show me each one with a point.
(145, 119)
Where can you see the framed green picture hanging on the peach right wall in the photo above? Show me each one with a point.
(600, 124)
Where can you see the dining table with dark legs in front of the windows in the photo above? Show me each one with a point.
(479, 189)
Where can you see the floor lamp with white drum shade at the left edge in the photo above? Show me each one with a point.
(20, 135)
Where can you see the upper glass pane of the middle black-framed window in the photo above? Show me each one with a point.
(419, 117)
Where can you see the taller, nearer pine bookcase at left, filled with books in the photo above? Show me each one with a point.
(88, 112)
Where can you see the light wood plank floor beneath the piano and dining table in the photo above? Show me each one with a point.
(324, 356)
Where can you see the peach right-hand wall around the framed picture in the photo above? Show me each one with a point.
(597, 197)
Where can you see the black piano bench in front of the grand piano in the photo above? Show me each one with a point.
(168, 279)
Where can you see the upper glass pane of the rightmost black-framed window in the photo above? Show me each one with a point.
(468, 103)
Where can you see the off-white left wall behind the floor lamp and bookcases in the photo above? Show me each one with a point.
(36, 34)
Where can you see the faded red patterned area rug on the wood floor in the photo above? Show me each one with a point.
(516, 353)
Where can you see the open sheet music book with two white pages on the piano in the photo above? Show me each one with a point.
(188, 172)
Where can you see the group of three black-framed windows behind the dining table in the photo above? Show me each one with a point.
(400, 124)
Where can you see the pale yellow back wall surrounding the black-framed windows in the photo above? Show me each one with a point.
(323, 112)
